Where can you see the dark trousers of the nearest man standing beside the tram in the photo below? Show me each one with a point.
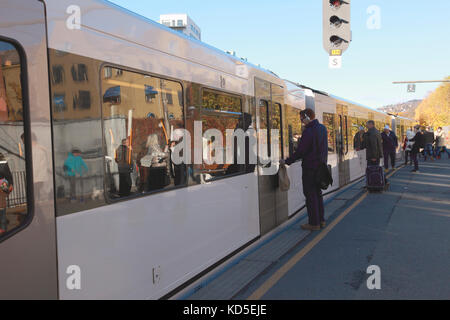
(314, 197)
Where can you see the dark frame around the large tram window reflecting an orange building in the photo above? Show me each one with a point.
(139, 195)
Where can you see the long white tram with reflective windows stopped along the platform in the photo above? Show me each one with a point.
(87, 88)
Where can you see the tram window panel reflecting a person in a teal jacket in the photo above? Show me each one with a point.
(77, 135)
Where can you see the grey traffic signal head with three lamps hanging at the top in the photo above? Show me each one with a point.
(336, 25)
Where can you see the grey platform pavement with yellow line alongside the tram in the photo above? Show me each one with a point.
(404, 231)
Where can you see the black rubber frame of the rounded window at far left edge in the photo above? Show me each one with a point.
(27, 141)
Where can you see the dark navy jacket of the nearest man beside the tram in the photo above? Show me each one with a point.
(312, 147)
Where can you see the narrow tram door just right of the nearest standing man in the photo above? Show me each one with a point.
(343, 140)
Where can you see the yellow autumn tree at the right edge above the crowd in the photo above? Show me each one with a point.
(435, 109)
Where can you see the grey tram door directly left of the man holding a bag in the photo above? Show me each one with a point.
(273, 206)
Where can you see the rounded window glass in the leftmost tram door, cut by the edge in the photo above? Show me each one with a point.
(13, 182)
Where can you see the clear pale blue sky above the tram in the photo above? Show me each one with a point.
(285, 37)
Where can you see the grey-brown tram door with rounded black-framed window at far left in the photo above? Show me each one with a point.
(28, 265)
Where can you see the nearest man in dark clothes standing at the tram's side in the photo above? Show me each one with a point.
(313, 149)
